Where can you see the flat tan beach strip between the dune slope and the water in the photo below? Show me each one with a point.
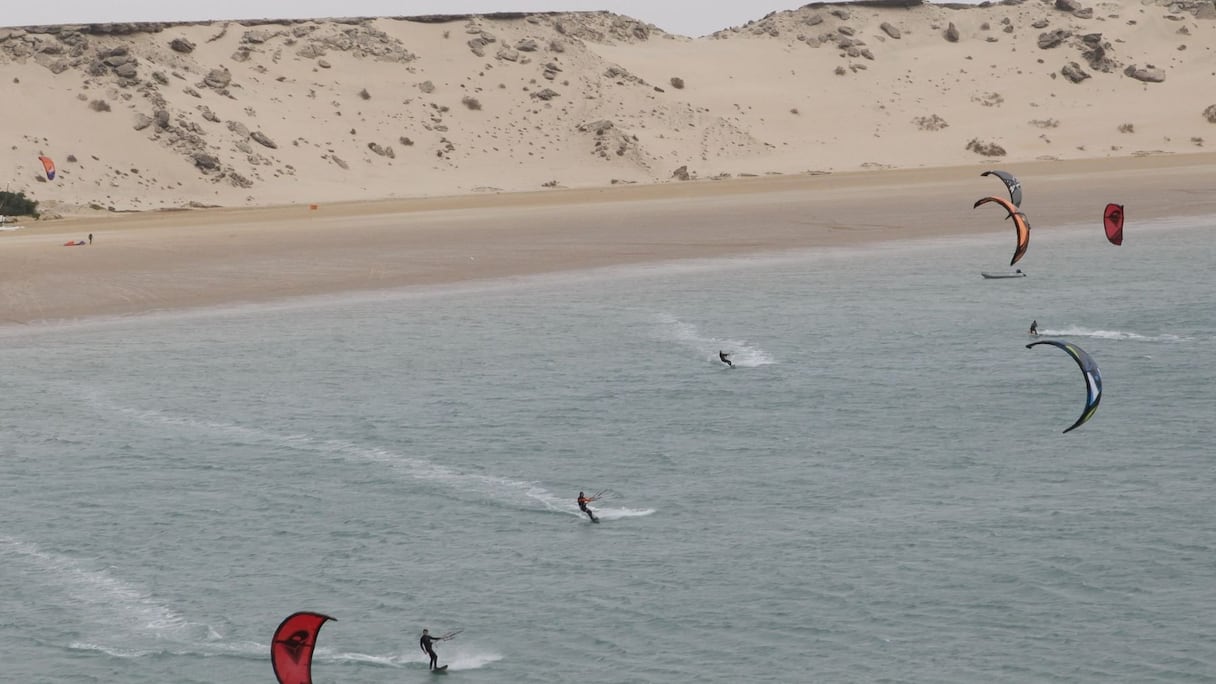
(167, 261)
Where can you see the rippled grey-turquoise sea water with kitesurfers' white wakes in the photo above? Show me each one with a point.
(880, 490)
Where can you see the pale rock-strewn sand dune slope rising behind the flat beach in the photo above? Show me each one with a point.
(227, 114)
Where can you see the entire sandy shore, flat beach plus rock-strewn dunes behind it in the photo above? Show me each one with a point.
(448, 149)
